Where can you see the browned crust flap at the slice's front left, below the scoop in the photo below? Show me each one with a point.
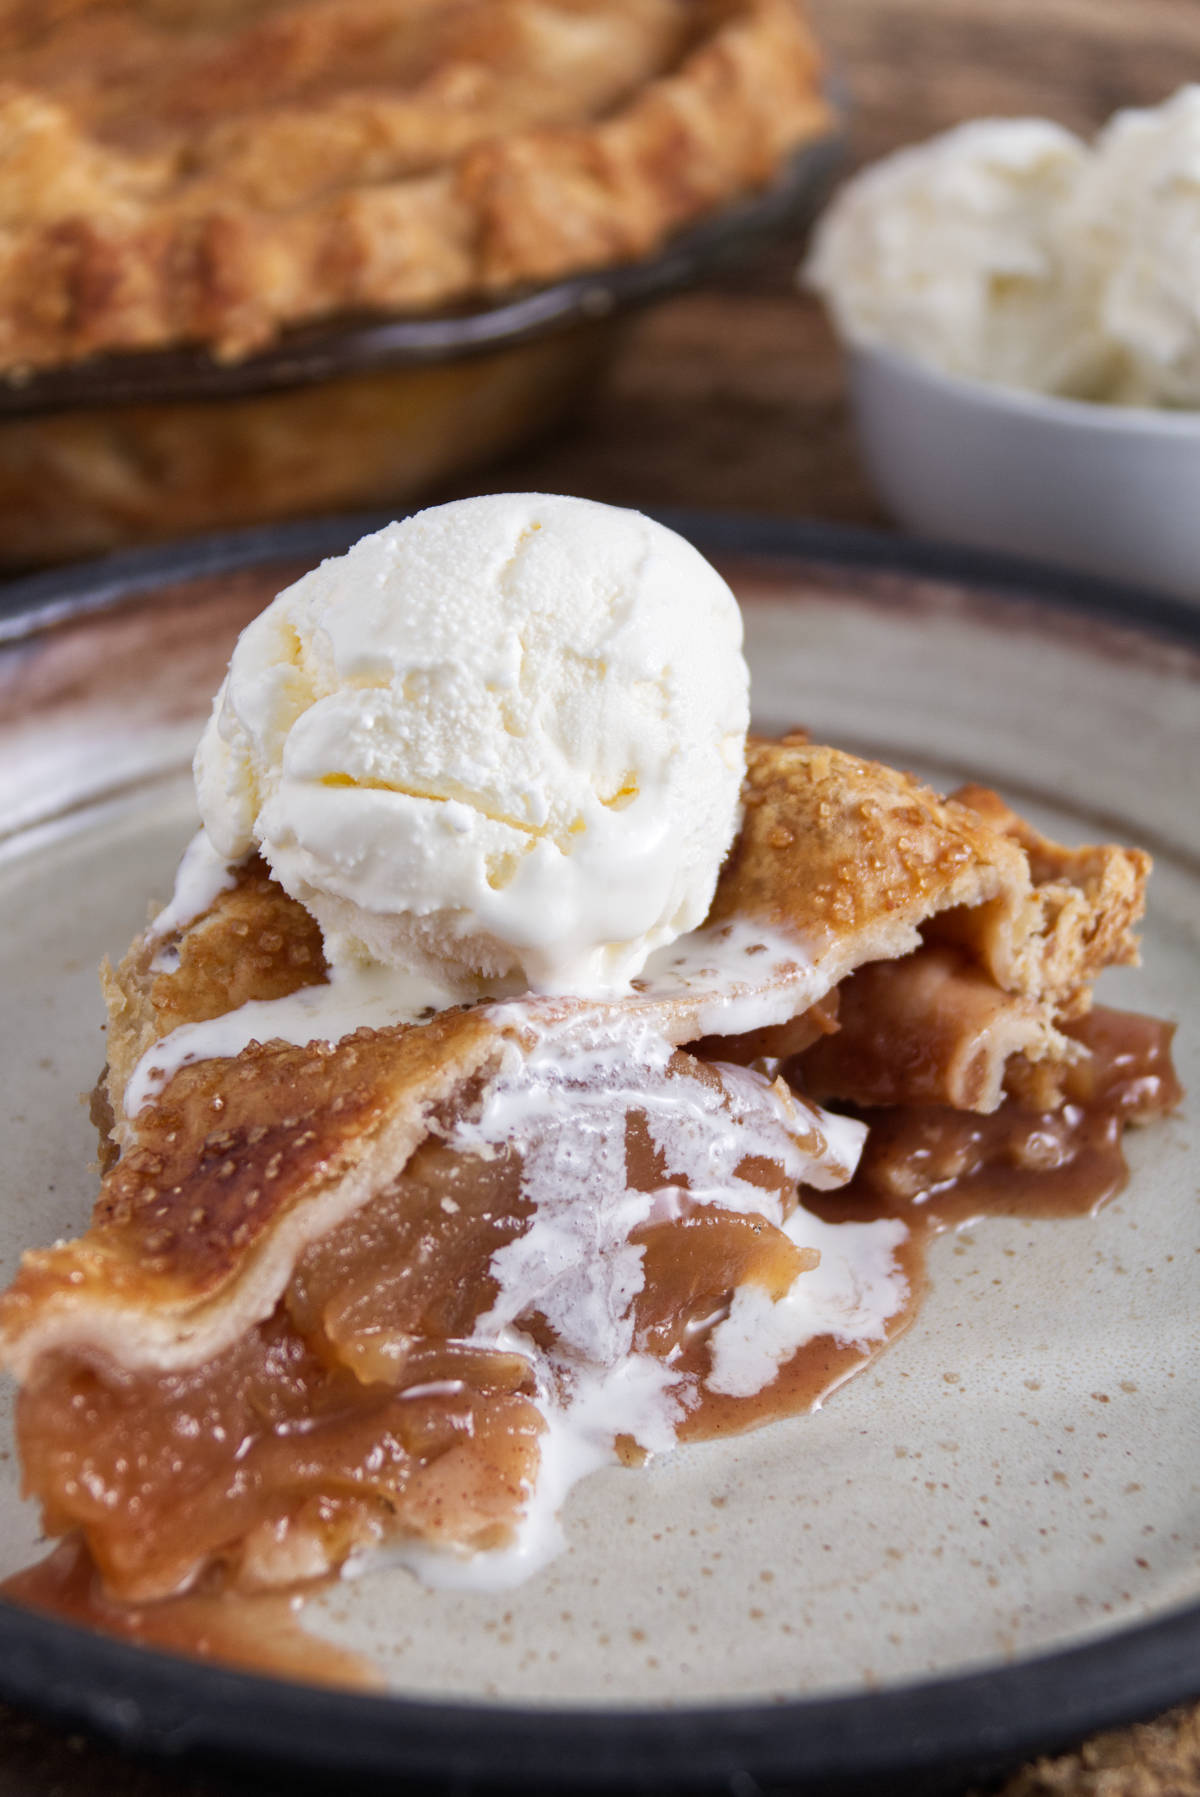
(233, 1173)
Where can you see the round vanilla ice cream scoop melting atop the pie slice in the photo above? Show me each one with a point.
(499, 741)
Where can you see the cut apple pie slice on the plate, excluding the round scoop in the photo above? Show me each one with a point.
(401, 1286)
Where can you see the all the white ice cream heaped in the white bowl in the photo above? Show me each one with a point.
(1010, 251)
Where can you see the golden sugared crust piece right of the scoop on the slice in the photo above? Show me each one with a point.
(847, 851)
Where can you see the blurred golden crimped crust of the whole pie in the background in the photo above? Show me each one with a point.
(211, 177)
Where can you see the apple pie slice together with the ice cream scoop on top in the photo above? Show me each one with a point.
(403, 1230)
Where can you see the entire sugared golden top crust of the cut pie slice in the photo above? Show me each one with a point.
(242, 1164)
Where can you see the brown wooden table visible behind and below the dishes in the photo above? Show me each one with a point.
(732, 396)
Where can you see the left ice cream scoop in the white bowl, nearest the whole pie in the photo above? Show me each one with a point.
(953, 252)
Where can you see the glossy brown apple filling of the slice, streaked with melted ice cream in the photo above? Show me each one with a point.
(477, 1320)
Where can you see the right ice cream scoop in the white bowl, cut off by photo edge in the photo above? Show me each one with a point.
(1136, 220)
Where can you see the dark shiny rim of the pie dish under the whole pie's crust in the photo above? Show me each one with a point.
(362, 344)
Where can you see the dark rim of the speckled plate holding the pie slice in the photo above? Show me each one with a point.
(915, 1739)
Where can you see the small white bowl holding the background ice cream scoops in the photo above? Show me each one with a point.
(1111, 490)
